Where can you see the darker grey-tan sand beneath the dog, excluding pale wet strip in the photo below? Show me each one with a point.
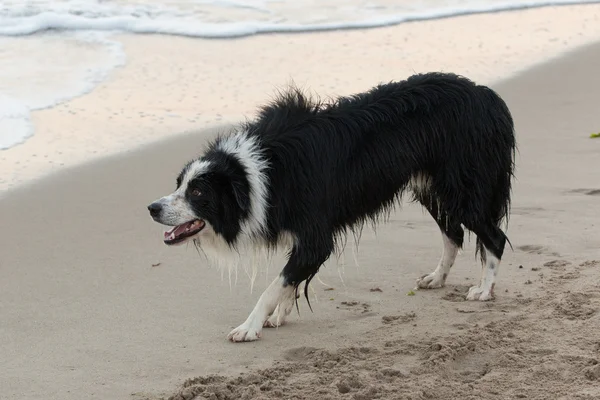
(94, 306)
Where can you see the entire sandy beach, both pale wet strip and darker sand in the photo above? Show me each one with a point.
(94, 306)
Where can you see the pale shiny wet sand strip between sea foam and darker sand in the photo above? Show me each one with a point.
(171, 85)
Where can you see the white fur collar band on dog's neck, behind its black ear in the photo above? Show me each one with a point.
(246, 149)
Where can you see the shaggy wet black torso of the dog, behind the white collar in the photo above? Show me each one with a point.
(449, 140)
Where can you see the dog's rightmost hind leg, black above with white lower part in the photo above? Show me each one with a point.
(490, 243)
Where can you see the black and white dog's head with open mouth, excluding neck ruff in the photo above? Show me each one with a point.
(212, 198)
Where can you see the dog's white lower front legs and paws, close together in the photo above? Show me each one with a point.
(278, 293)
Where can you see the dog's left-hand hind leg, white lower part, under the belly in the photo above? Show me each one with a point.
(452, 236)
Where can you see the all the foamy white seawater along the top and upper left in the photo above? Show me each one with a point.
(54, 50)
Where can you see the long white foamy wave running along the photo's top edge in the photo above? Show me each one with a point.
(195, 20)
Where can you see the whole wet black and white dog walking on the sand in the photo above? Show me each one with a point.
(304, 173)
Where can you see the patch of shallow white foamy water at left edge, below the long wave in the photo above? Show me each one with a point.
(41, 72)
